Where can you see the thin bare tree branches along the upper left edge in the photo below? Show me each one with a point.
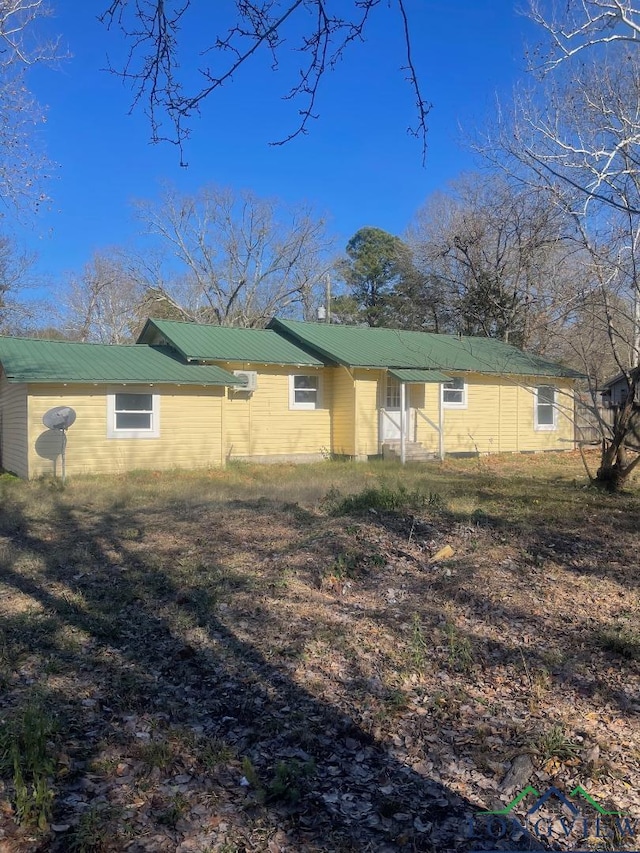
(23, 163)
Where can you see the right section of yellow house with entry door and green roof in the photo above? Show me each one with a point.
(450, 394)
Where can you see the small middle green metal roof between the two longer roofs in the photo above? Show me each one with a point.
(223, 343)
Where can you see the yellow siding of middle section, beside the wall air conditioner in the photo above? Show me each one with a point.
(261, 423)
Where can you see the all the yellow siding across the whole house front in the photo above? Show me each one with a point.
(201, 427)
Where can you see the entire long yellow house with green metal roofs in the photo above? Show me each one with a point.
(193, 396)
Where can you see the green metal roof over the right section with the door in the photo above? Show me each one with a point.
(362, 346)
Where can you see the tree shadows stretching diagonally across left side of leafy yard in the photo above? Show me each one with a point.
(174, 731)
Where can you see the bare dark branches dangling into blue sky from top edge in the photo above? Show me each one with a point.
(317, 32)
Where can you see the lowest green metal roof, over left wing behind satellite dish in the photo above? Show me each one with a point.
(30, 360)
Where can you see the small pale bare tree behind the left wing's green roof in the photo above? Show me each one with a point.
(104, 303)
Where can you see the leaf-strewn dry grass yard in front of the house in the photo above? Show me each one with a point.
(245, 660)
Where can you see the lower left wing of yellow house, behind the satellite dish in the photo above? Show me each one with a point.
(136, 407)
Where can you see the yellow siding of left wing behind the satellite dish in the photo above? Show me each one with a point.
(189, 431)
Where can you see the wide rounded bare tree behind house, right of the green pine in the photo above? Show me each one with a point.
(490, 256)
